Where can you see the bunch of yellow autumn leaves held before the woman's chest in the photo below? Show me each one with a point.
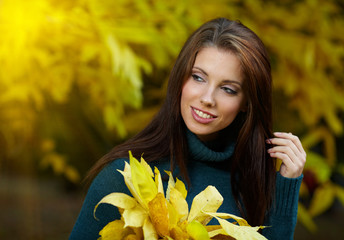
(149, 214)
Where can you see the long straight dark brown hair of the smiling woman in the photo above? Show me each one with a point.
(253, 171)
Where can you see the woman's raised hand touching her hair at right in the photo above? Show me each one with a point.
(288, 148)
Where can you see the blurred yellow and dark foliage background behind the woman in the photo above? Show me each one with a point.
(78, 77)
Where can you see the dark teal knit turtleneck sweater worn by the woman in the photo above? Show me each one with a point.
(205, 167)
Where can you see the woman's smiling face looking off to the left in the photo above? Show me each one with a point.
(213, 95)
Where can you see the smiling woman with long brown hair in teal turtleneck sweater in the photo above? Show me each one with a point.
(214, 128)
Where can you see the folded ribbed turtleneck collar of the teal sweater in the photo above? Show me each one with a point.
(199, 151)
